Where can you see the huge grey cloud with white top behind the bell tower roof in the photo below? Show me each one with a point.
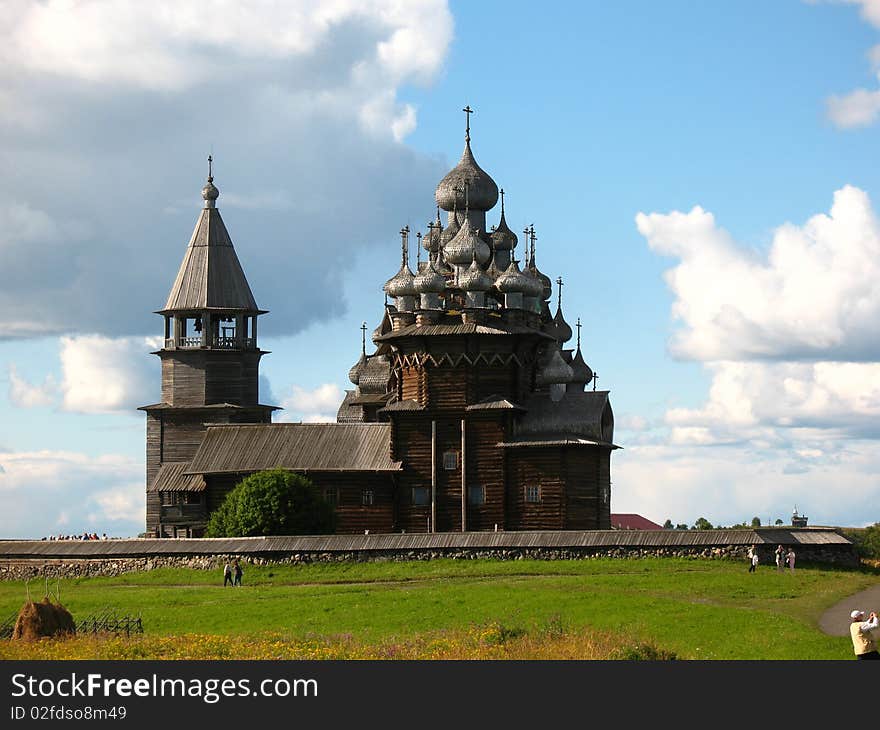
(108, 110)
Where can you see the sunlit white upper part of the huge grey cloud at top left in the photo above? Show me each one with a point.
(172, 46)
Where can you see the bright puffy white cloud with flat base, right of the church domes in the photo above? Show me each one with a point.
(813, 296)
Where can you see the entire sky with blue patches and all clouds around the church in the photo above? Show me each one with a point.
(703, 177)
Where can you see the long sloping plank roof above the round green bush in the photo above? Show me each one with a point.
(304, 447)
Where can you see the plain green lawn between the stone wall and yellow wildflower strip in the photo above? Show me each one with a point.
(695, 608)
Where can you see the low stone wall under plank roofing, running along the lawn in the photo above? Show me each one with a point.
(24, 568)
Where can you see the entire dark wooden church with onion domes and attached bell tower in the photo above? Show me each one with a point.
(470, 413)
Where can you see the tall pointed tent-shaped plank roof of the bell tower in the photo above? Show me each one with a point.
(210, 276)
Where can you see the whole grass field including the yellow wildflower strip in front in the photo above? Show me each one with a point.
(594, 609)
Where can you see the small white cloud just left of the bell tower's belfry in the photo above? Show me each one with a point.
(102, 374)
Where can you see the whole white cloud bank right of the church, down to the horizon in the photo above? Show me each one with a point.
(790, 337)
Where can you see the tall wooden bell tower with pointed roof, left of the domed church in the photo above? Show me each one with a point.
(210, 371)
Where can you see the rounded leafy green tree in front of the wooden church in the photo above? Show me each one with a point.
(273, 502)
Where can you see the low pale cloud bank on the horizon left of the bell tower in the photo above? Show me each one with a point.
(44, 491)
